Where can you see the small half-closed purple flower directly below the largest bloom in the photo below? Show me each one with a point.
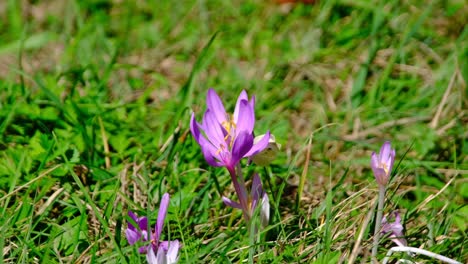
(257, 197)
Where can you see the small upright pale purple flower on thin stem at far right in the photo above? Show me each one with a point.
(382, 163)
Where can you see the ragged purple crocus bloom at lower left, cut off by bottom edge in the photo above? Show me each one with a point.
(157, 251)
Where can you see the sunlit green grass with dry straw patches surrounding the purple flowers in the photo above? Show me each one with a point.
(95, 102)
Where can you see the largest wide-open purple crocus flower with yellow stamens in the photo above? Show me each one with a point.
(226, 139)
